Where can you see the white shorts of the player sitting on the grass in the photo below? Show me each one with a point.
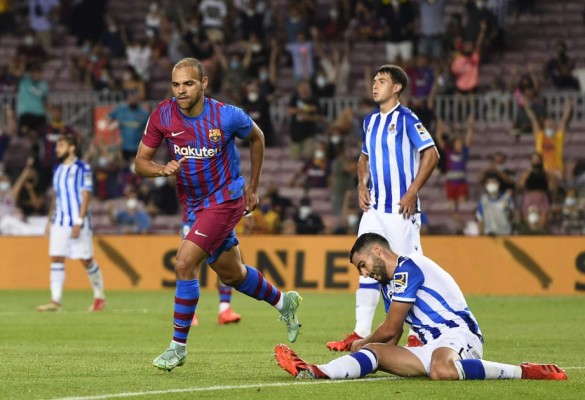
(462, 341)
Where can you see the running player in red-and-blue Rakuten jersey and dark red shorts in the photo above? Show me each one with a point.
(200, 133)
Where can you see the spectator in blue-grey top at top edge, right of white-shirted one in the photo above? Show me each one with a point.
(432, 28)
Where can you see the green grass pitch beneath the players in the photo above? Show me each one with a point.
(75, 353)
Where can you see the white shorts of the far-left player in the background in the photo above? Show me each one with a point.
(62, 245)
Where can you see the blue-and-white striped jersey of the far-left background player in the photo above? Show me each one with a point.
(68, 183)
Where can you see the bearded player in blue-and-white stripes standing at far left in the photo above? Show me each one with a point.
(70, 233)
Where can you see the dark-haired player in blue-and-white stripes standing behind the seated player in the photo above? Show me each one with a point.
(398, 156)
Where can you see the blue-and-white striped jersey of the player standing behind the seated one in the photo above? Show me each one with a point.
(393, 142)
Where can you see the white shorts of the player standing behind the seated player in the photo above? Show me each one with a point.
(402, 234)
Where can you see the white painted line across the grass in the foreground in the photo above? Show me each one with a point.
(228, 387)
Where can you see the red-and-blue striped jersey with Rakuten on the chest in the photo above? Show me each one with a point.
(210, 173)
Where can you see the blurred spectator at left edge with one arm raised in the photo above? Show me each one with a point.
(11, 218)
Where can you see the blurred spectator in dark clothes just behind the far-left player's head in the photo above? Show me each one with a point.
(48, 135)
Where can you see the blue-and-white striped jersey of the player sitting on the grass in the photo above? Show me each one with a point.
(438, 303)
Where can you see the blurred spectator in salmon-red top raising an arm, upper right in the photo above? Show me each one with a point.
(465, 65)
